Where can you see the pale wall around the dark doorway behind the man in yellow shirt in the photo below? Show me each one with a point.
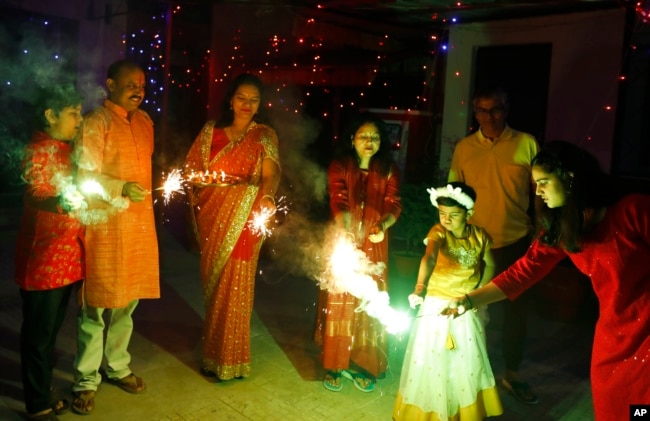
(585, 65)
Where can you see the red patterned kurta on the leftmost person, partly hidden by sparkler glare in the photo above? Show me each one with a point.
(49, 251)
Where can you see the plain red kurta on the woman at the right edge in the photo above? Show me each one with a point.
(615, 257)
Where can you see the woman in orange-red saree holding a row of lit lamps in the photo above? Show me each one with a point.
(235, 170)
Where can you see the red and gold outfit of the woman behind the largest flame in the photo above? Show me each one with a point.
(345, 335)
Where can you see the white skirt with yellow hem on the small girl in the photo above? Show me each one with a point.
(446, 372)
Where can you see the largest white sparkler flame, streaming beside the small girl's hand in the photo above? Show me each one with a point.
(349, 270)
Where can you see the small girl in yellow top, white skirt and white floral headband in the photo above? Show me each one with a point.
(446, 372)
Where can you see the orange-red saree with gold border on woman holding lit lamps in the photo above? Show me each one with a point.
(229, 248)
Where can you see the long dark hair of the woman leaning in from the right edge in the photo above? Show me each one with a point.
(587, 188)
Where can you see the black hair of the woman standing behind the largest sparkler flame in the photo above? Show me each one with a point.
(345, 149)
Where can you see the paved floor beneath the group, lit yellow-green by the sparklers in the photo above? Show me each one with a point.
(286, 380)
